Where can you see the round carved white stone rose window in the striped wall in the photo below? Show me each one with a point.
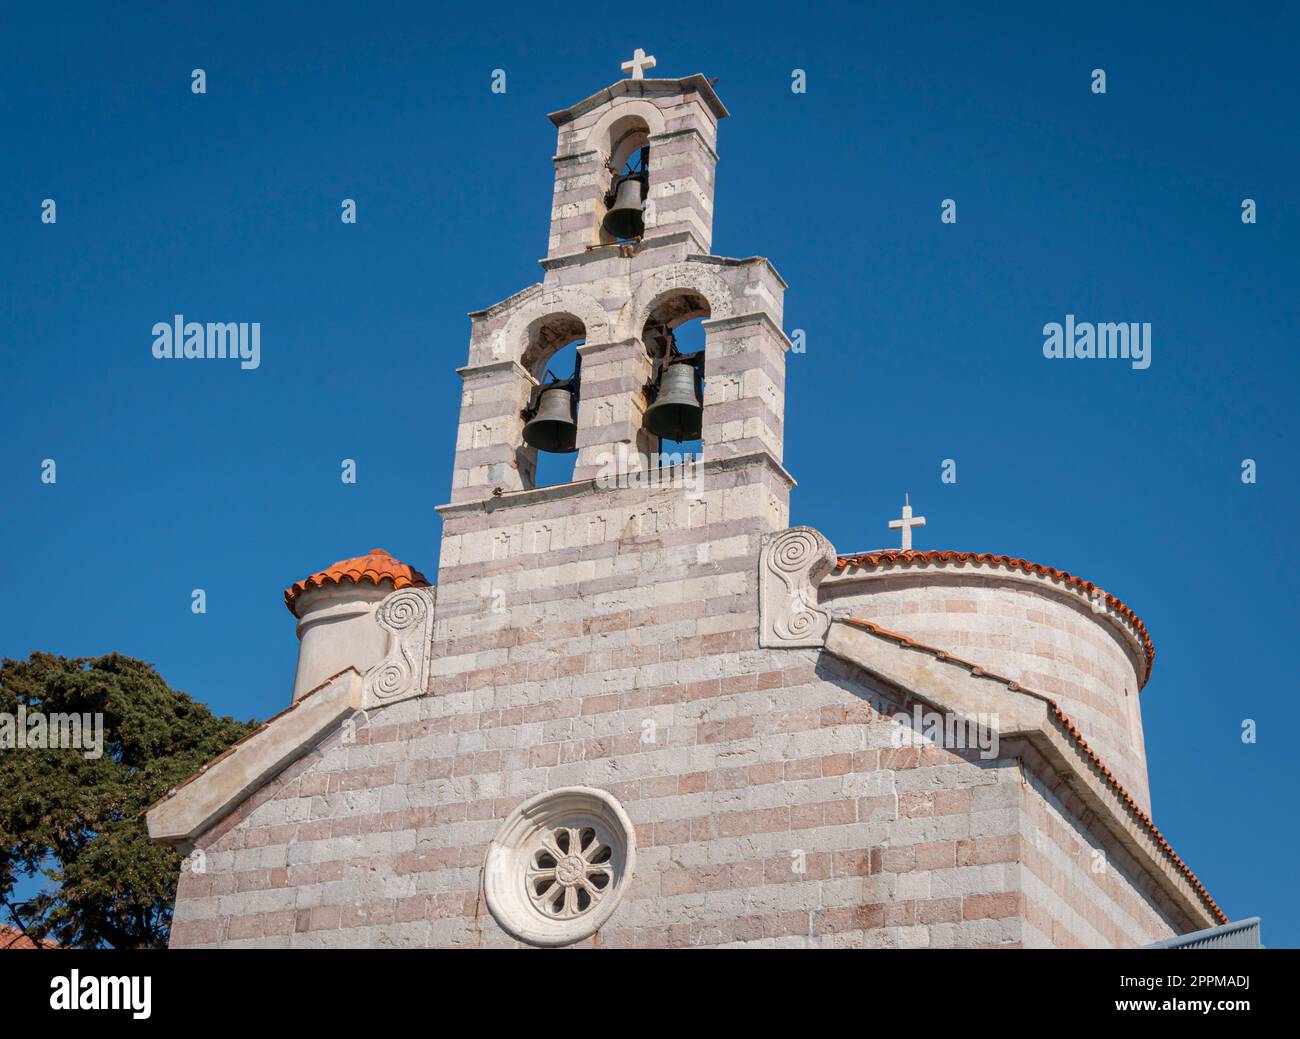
(560, 867)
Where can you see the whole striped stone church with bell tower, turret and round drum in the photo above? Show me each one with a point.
(640, 709)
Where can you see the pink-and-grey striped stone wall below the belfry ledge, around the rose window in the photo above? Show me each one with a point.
(772, 798)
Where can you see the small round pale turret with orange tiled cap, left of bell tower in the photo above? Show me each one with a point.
(336, 616)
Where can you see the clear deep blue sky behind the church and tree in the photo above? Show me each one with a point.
(924, 340)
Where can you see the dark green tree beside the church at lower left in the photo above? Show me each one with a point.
(77, 820)
